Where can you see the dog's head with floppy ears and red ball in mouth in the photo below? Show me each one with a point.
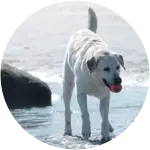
(106, 67)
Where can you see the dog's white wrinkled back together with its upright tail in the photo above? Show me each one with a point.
(84, 42)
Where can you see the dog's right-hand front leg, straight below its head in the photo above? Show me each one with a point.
(104, 110)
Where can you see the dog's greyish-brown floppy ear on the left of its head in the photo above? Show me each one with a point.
(92, 64)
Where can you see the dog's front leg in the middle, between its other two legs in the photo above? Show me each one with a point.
(86, 128)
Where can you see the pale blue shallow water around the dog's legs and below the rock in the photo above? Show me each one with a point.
(47, 124)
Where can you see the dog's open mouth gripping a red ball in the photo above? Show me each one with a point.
(113, 88)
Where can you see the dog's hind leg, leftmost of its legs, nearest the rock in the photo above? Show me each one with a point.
(68, 84)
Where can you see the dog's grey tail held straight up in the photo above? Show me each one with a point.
(92, 20)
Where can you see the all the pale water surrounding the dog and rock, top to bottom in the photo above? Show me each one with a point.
(37, 44)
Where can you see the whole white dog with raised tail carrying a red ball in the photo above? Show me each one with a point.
(94, 71)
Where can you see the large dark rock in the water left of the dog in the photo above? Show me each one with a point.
(19, 89)
